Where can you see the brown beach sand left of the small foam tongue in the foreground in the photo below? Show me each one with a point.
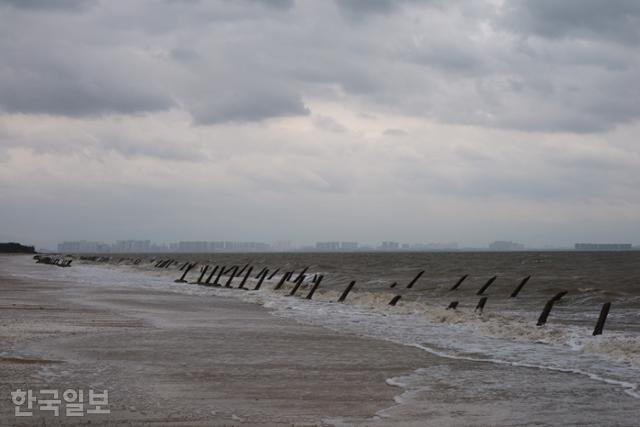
(171, 359)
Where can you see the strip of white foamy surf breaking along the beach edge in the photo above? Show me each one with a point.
(507, 338)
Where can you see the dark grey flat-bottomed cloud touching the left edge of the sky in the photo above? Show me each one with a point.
(74, 83)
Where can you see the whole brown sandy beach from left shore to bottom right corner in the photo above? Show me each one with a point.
(170, 358)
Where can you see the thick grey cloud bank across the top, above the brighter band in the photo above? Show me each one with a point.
(544, 66)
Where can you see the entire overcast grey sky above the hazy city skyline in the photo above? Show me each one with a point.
(363, 120)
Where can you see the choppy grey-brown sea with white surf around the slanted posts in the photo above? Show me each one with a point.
(504, 335)
